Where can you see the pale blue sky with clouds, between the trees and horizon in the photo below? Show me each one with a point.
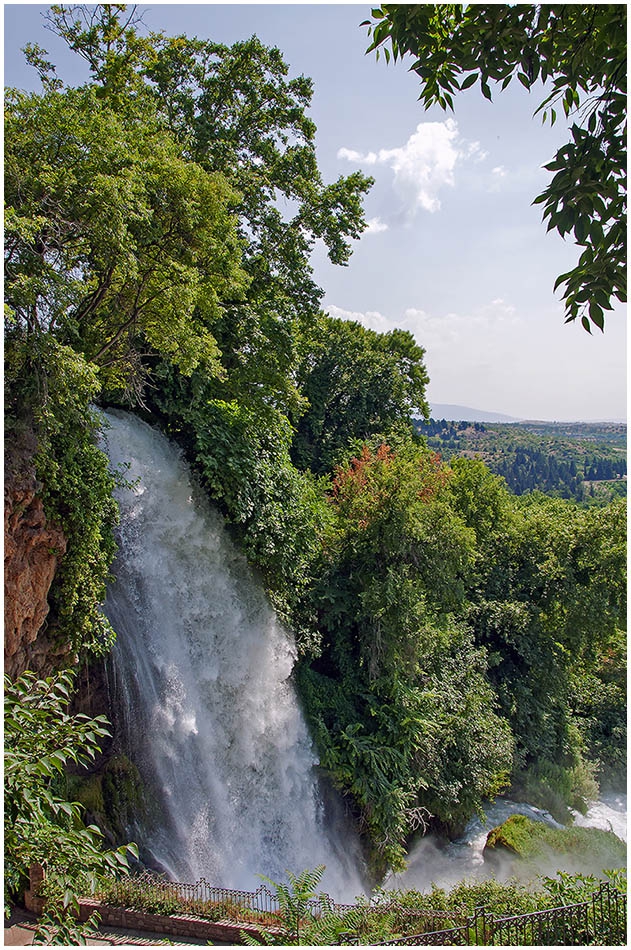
(454, 252)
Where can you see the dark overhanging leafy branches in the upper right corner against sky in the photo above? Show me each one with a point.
(582, 51)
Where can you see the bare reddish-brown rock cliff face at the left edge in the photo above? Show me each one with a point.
(32, 549)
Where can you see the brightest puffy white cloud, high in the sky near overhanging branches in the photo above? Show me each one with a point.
(424, 165)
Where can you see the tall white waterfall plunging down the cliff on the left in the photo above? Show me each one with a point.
(203, 671)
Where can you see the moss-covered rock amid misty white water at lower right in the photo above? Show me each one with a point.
(537, 845)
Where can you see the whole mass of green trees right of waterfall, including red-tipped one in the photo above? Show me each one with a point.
(455, 620)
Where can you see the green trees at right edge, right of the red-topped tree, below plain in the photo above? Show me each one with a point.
(547, 599)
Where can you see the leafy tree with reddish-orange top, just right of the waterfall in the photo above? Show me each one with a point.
(398, 699)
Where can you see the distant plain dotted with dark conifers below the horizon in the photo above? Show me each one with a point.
(584, 461)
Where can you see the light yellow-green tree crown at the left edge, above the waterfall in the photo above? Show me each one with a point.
(115, 244)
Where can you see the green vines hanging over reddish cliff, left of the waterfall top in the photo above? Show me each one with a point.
(49, 388)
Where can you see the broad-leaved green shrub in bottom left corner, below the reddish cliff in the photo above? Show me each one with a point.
(40, 826)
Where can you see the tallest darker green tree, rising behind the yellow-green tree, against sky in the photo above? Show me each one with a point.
(233, 110)
